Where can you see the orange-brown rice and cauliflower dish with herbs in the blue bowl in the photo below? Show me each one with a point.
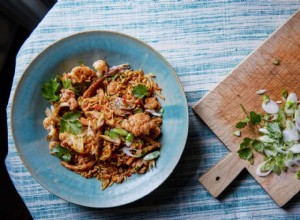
(104, 123)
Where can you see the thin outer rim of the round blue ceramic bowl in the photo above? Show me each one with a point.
(66, 38)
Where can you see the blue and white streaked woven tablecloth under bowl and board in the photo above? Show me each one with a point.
(203, 41)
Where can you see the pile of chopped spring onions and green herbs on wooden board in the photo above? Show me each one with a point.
(278, 135)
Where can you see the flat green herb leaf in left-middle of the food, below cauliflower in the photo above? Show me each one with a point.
(69, 122)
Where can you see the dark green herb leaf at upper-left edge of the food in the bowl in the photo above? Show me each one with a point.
(50, 90)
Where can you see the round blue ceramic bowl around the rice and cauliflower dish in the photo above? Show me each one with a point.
(28, 107)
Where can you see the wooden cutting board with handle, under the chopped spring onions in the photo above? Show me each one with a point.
(220, 108)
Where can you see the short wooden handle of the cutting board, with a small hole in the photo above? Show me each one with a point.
(222, 174)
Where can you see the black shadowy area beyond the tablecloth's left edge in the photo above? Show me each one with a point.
(17, 21)
